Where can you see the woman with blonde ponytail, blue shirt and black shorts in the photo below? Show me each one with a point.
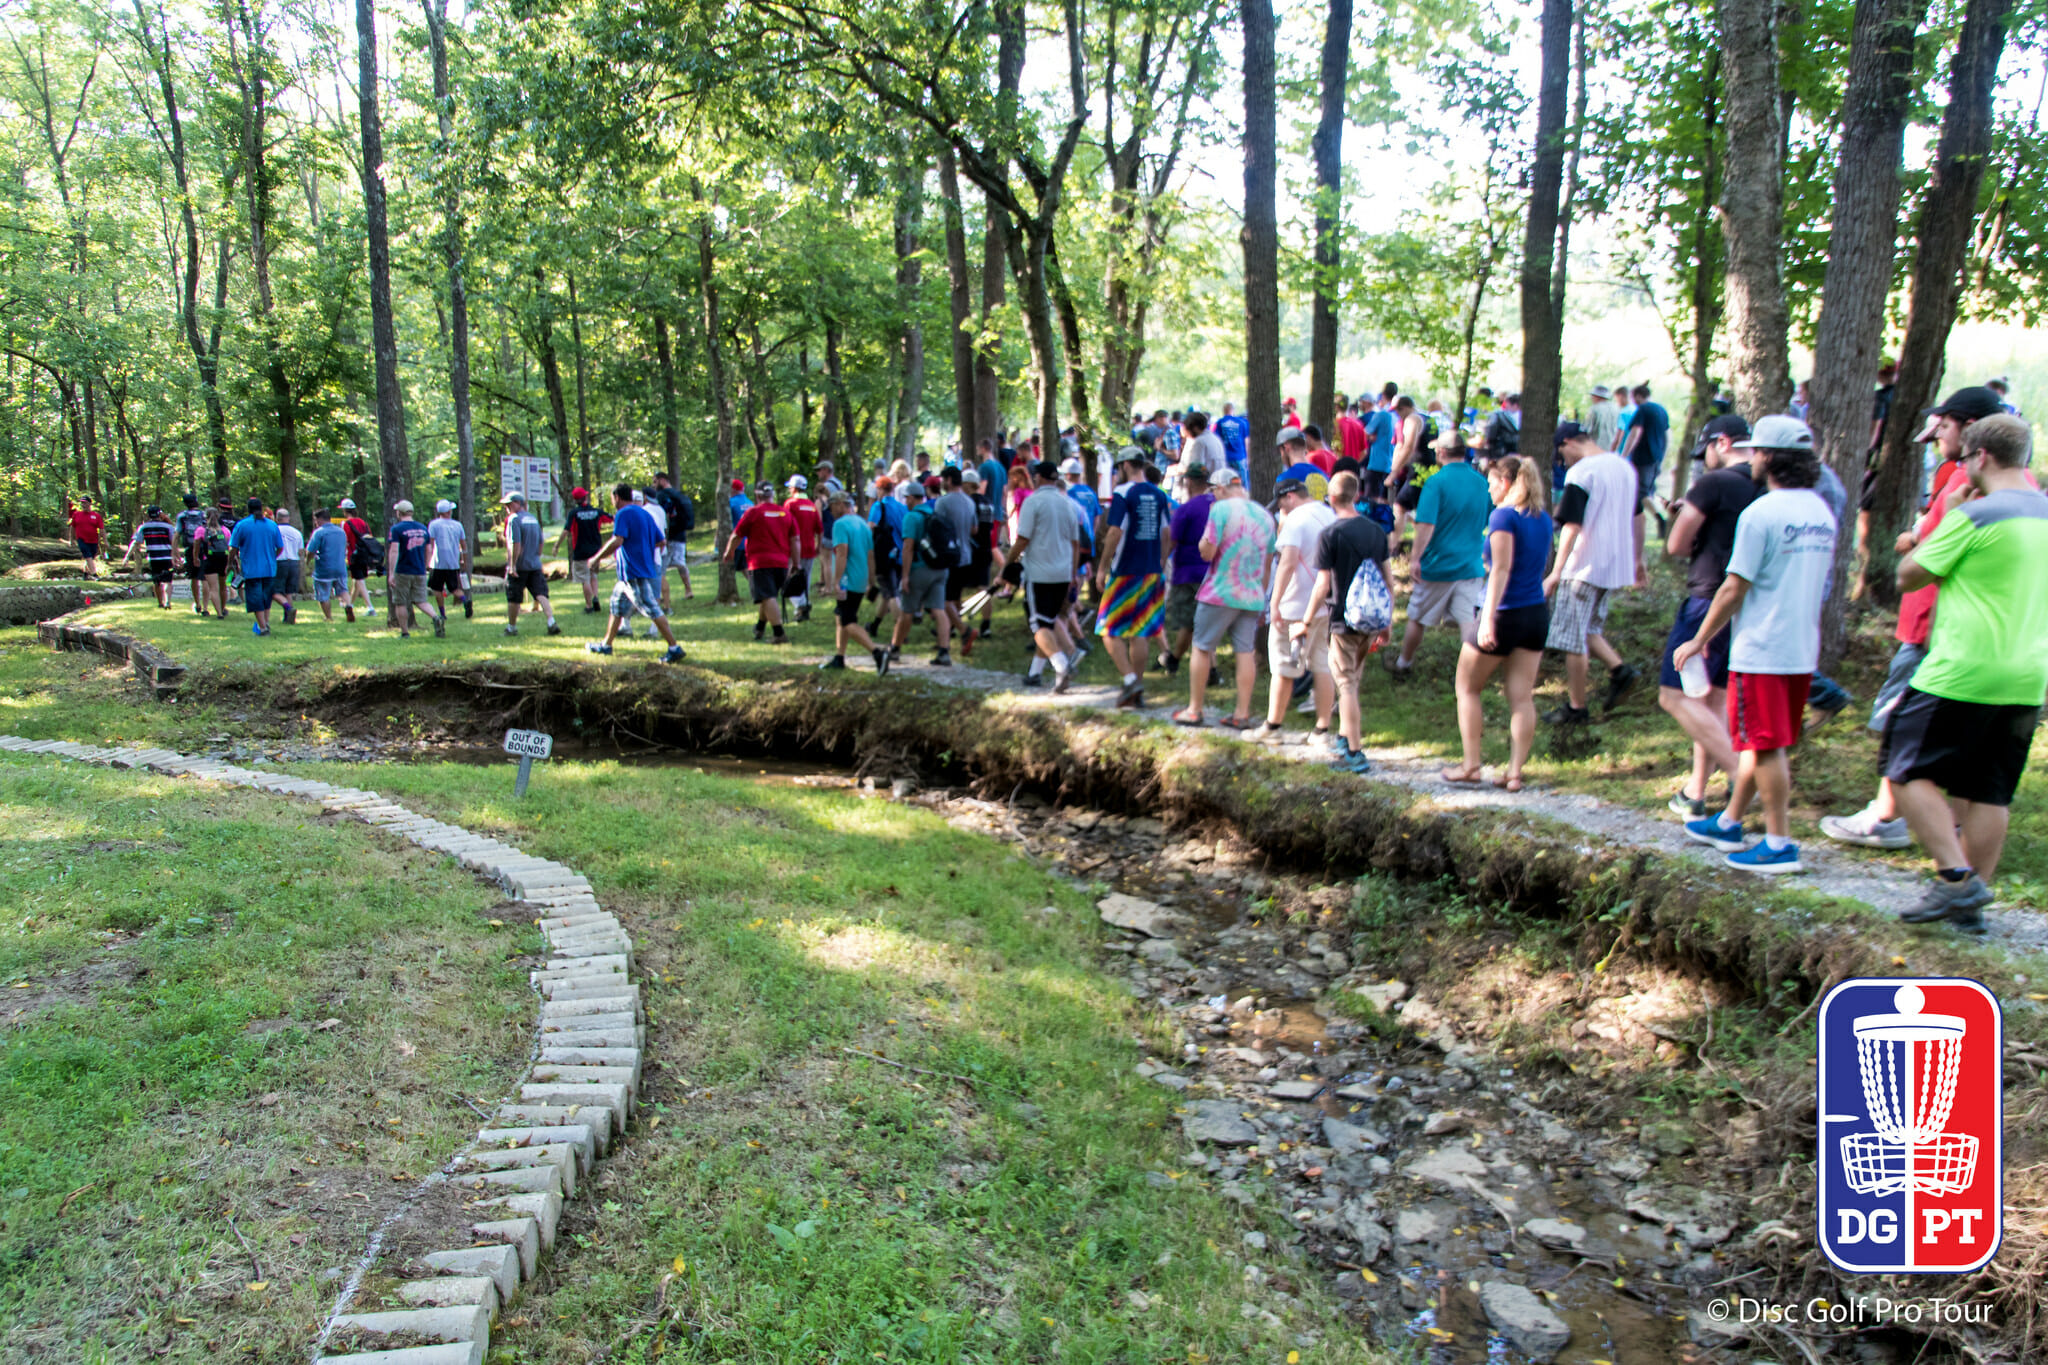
(1512, 621)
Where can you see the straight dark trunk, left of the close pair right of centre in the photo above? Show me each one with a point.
(1261, 240)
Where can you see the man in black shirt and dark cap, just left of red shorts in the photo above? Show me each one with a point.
(1705, 537)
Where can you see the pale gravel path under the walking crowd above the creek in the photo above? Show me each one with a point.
(1830, 869)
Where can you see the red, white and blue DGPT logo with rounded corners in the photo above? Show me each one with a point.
(1912, 1122)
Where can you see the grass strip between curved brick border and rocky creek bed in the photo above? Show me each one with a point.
(808, 1204)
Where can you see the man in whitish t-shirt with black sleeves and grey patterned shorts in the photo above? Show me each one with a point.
(1596, 558)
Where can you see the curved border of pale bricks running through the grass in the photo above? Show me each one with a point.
(572, 1104)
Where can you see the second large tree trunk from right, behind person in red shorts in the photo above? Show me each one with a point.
(1861, 251)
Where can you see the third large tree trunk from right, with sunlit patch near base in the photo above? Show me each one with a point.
(1760, 363)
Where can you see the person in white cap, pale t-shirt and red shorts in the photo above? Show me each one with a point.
(1777, 582)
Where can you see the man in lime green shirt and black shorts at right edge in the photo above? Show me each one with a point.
(1957, 744)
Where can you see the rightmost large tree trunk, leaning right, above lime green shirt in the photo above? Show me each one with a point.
(1947, 222)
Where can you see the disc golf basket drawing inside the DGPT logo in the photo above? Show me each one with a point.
(1910, 1104)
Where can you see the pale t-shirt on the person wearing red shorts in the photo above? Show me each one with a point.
(1785, 545)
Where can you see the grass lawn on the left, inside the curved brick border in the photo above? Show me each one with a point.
(226, 1030)
